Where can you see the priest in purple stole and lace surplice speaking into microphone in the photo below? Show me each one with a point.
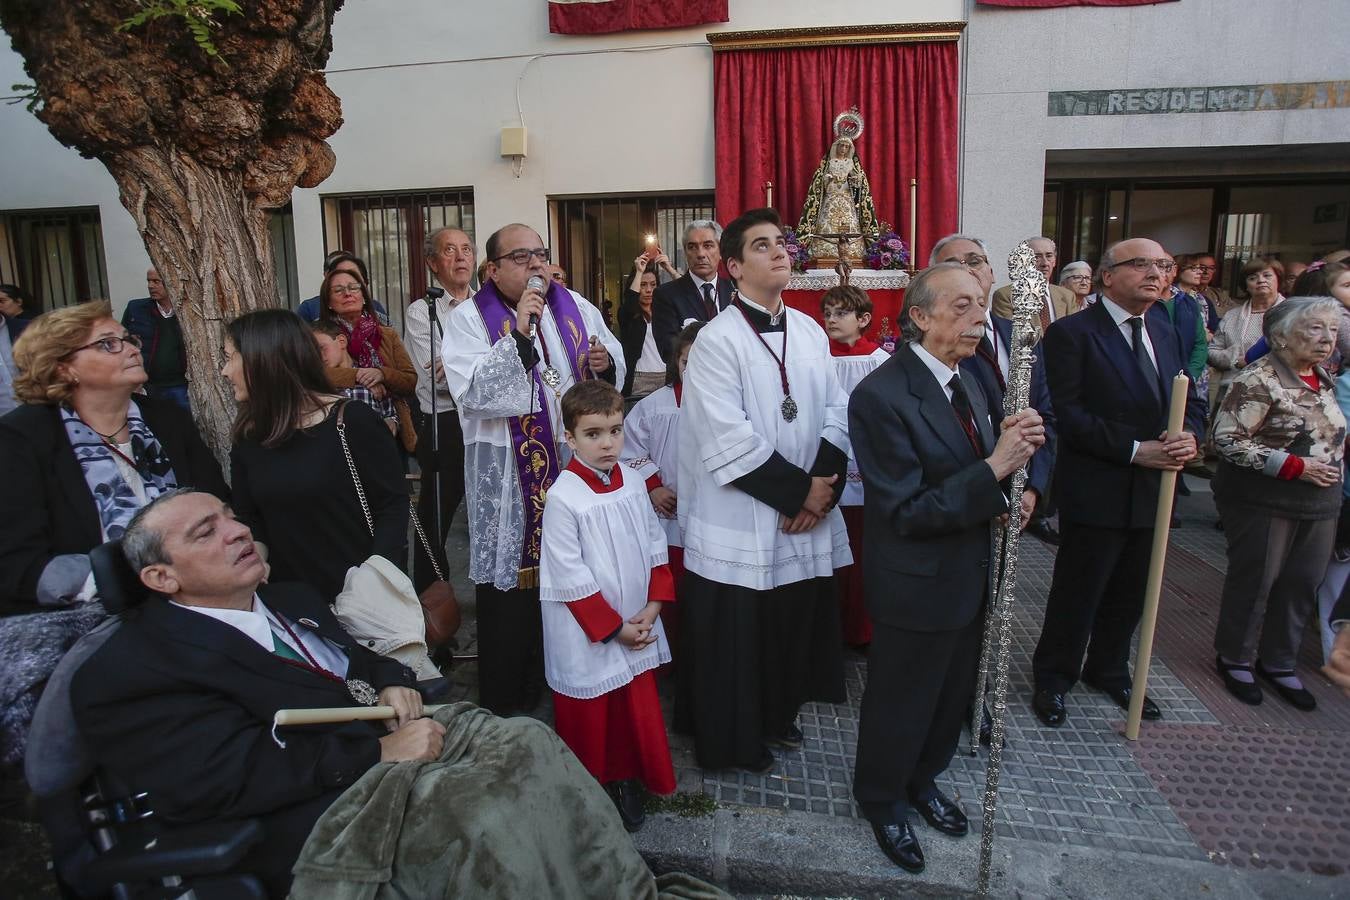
(510, 357)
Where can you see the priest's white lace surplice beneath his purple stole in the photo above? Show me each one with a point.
(491, 387)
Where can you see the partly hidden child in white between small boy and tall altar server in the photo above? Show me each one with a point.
(651, 449)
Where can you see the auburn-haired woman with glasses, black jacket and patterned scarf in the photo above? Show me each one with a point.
(82, 455)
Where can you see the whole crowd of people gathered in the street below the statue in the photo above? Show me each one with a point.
(720, 490)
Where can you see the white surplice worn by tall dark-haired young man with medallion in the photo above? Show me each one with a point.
(731, 424)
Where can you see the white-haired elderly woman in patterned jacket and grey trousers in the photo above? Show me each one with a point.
(1280, 437)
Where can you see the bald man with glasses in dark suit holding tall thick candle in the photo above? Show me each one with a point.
(1110, 372)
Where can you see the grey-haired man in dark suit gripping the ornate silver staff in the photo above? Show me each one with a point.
(931, 470)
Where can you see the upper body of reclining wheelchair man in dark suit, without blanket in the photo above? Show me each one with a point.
(179, 702)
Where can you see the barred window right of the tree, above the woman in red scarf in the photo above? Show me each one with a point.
(387, 231)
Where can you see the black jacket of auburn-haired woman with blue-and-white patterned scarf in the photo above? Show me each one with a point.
(47, 508)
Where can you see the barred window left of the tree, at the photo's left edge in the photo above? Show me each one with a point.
(56, 254)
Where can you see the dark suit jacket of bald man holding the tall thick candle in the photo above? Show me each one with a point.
(1102, 405)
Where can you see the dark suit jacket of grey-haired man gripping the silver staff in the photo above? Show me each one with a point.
(929, 499)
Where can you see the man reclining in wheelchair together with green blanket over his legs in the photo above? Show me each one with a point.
(180, 700)
